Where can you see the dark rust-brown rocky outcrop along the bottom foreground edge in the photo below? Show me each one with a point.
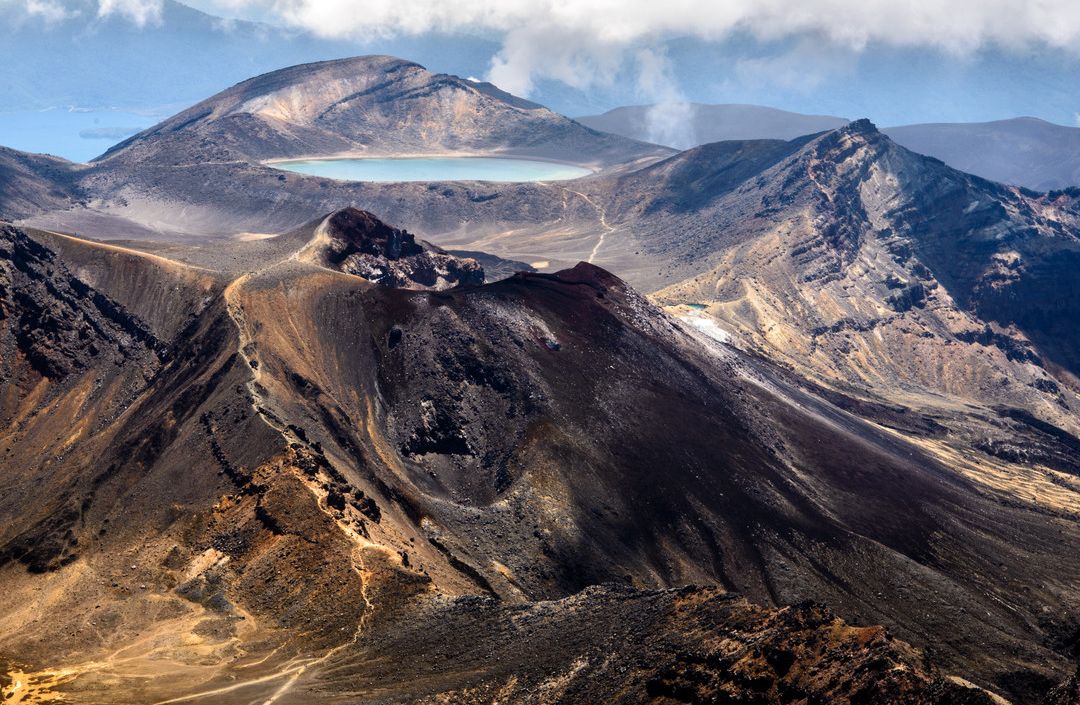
(616, 645)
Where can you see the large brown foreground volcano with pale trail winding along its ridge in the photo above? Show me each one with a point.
(250, 474)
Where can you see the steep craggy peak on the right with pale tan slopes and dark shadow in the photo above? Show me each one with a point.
(867, 265)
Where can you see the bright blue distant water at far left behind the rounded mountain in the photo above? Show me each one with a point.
(78, 135)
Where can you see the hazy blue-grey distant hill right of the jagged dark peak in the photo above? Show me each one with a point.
(1025, 152)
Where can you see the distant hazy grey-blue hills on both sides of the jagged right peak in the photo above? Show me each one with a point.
(1023, 152)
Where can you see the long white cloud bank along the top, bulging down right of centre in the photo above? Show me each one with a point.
(585, 43)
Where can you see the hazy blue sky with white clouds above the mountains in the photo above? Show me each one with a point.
(895, 63)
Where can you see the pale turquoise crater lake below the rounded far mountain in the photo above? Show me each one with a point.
(439, 169)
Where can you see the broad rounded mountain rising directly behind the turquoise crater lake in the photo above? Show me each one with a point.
(369, 106)
